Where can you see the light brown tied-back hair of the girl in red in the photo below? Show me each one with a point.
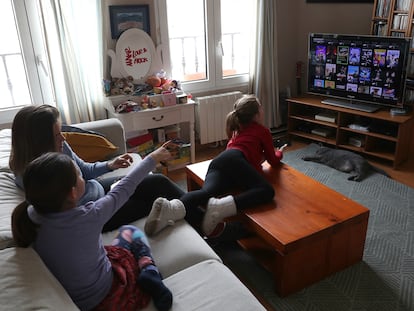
(244, 111)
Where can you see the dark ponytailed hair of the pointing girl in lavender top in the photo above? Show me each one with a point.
(47, 181)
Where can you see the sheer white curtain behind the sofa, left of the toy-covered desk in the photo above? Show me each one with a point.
(73, 32)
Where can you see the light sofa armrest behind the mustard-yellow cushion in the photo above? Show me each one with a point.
(111, 128)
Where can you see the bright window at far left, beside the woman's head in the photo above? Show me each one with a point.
(24, 78)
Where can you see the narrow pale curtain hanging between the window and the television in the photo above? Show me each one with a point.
(264, 81)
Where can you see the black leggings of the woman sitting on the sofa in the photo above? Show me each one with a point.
(140, 203)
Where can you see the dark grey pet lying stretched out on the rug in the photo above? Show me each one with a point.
(344, 161)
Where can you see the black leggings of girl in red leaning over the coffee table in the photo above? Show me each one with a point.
(229, 171)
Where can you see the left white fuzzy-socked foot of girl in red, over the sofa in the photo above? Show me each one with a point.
(163, 213)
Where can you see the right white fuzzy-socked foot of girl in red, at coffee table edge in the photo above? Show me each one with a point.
(216, 211)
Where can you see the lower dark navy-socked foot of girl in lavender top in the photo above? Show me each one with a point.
(151, 282)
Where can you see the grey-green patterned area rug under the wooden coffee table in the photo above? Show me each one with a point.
(382, 281)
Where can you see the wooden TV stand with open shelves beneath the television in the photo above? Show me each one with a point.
(389, 137)
